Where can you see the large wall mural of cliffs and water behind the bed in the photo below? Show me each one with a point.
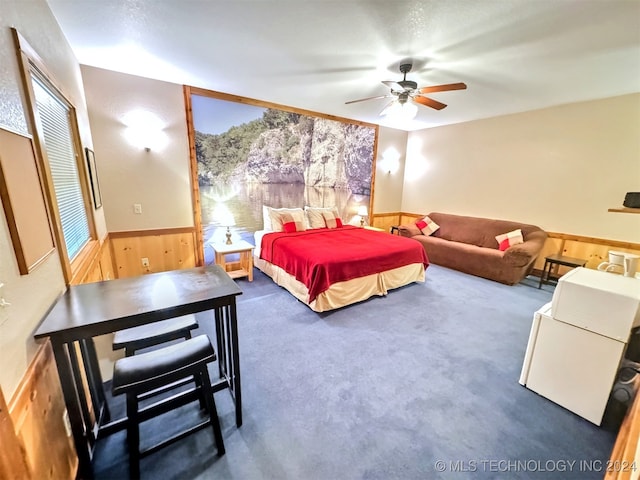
(250, 156)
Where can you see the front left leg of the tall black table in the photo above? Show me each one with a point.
(65, 372)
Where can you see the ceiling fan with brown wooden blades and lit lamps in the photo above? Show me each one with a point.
(406, 90)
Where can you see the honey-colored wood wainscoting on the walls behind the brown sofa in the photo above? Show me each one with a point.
(594, 250)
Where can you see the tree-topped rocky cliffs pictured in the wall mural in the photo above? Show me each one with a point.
(290, 148)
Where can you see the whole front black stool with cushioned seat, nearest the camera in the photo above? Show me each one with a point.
(145, 372)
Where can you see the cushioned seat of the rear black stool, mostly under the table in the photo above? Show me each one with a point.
(155, 333)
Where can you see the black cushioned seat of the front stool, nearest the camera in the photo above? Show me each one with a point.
(144, 371)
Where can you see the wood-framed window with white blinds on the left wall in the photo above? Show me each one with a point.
(61, 163)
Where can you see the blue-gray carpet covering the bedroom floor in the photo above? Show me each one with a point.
(384, 389)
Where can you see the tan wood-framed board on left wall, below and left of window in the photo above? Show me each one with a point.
(23, 200)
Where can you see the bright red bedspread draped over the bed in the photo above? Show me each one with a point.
(320, 257)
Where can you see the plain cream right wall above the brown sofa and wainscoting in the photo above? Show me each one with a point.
(560, 168)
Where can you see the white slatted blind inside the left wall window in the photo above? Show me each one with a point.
(56, 126)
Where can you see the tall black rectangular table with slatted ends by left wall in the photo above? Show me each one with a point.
(89, 310)
